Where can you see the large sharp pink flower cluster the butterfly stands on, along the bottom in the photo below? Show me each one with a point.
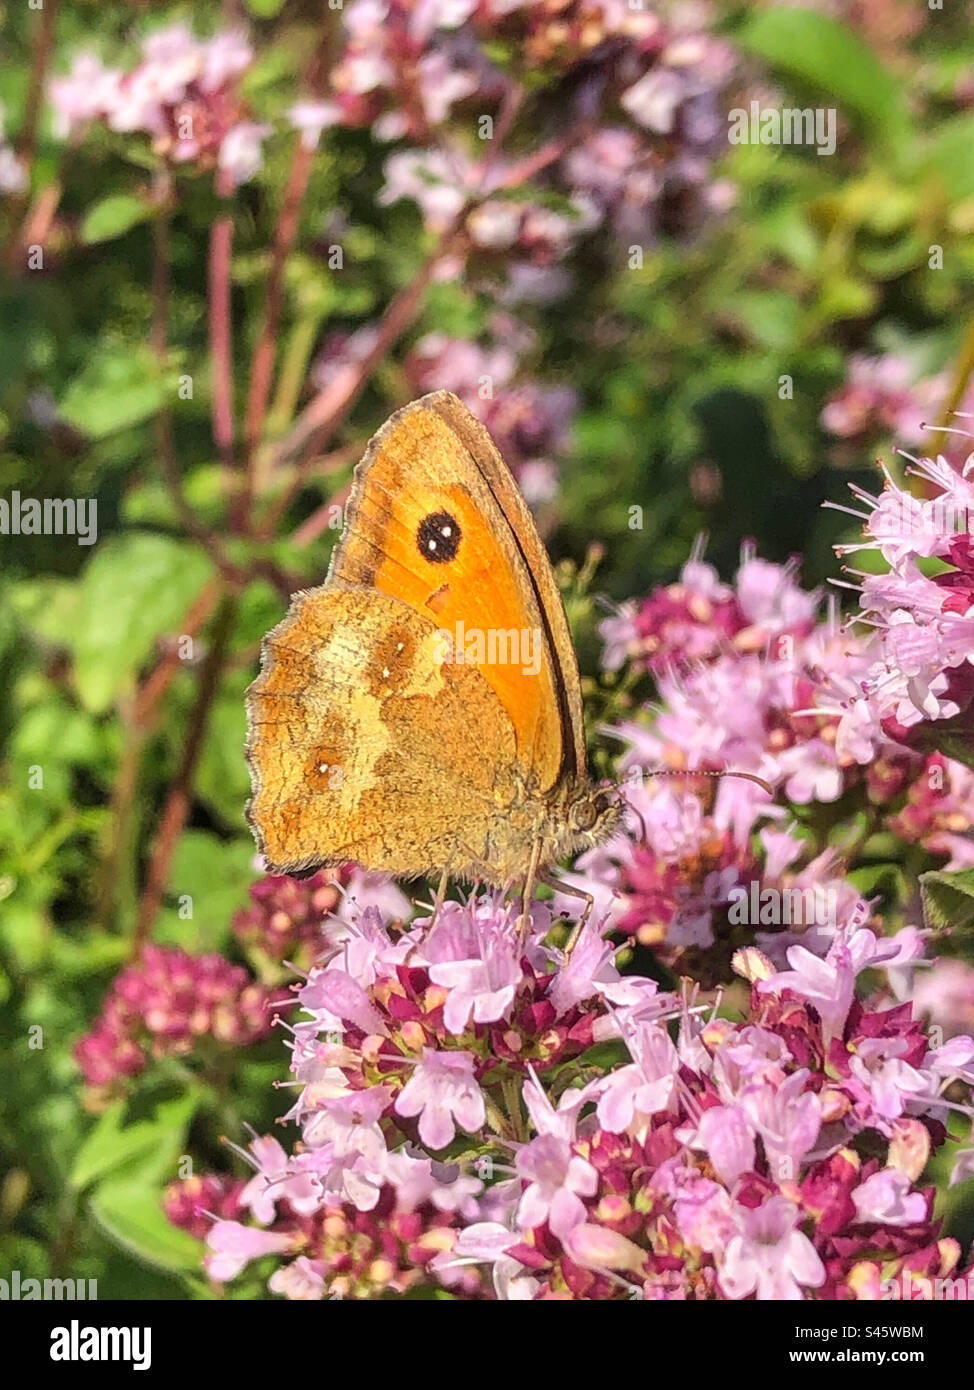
(444, 1139)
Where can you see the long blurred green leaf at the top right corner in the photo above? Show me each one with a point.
(822, 52)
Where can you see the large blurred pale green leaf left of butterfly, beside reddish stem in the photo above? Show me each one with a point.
(134, 590)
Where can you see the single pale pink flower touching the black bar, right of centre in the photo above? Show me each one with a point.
(770, 1257)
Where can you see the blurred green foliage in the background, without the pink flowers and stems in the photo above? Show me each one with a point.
(818, 259)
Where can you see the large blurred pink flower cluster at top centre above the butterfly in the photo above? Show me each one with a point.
(408, 66)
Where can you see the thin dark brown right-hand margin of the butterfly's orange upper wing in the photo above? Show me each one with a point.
(529, 544)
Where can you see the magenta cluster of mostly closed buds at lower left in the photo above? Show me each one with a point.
(167, 1006)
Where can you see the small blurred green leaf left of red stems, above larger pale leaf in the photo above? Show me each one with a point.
(119, 389)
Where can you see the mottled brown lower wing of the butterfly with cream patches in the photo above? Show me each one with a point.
(365, 746)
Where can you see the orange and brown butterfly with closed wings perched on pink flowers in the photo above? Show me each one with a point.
(422, 711)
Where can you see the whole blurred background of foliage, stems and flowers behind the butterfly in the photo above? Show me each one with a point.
(236, 238)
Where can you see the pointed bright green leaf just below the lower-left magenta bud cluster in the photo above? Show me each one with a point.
(124, 1140)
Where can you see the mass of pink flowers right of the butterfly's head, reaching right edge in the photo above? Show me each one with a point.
(751, 678)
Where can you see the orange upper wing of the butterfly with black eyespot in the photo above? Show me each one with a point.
(437, 521)
